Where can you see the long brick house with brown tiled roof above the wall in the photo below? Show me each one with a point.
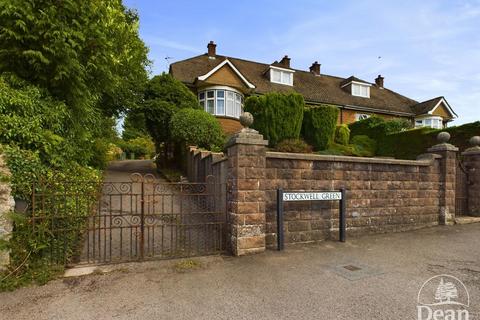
(222, 83)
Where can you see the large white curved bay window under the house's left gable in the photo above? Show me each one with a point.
(235, 100)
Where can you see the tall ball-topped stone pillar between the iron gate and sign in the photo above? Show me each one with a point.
(246, 152)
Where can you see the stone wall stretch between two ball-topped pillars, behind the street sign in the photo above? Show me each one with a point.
(383, 195)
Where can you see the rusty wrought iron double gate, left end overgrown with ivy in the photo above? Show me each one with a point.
(134, 220)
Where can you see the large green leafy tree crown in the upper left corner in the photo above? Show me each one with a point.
(86, 53)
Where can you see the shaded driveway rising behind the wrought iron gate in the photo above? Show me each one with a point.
(178, 219)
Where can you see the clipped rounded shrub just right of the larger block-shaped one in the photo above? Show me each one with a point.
(319, 126)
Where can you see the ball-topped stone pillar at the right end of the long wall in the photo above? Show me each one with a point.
(448, 166)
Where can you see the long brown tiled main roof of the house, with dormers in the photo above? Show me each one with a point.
(315, 89)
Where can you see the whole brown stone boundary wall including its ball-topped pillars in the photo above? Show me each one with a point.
(383, 195)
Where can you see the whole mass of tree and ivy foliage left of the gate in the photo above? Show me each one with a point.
(66, 73)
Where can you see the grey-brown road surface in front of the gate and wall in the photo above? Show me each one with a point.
(303, 282)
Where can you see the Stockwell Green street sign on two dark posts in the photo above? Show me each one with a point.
(311, 196)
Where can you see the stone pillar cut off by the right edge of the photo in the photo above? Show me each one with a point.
(471, 160)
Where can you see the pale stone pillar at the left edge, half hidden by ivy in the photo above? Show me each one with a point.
(6, 206)
